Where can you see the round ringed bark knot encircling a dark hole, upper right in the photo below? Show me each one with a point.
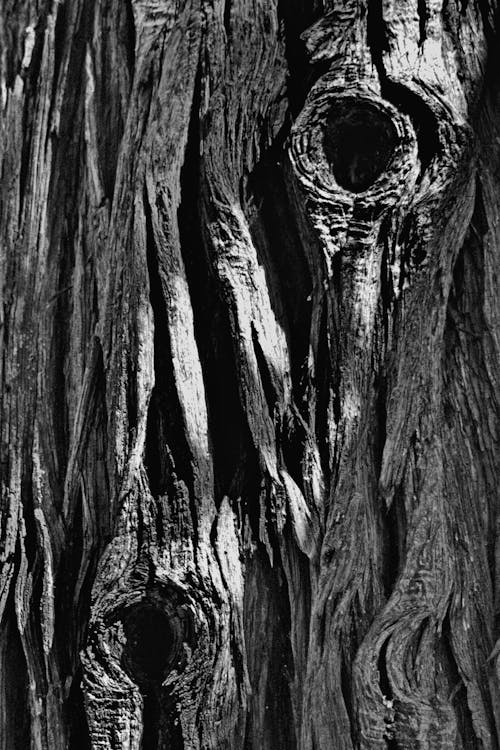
(352, 148)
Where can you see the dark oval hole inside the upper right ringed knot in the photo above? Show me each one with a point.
(358, 141)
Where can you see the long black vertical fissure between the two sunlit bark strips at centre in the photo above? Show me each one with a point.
(231, 444)
